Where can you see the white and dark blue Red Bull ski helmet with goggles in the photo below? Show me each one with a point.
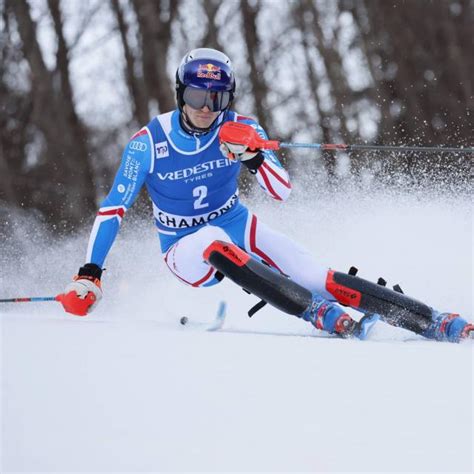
(205, 77)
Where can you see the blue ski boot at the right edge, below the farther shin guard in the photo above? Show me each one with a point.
(449, 327)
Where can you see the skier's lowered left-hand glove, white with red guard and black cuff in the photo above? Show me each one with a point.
(82, 295)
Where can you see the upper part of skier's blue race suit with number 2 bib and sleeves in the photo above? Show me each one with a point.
(190, 182)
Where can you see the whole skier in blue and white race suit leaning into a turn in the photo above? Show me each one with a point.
(189, 160)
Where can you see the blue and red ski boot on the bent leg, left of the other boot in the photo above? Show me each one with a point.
(327, 316)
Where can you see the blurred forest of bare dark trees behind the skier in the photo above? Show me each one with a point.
(78, 78)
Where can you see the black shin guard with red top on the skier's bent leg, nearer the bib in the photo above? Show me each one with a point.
(258, 278)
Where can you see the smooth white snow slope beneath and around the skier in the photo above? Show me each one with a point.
(128, 389)
